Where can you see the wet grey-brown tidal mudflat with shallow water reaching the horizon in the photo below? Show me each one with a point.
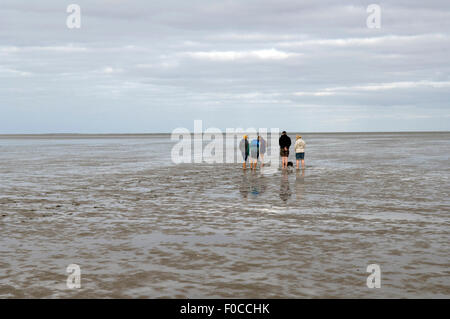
(141, 227)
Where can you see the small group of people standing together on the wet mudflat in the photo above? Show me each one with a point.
(257, 148)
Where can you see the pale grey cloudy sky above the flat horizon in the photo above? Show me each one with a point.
(153, 66)
